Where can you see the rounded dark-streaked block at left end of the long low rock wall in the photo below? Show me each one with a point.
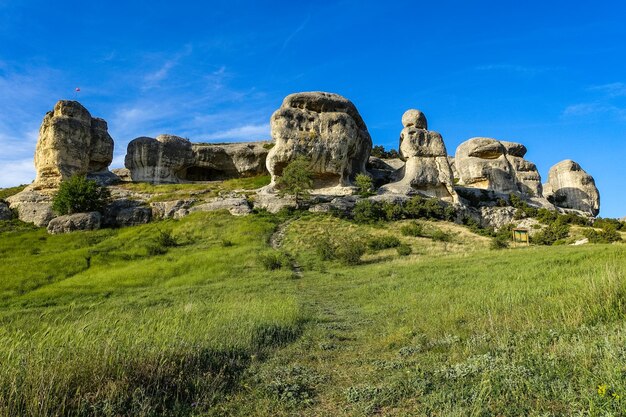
(160, 160)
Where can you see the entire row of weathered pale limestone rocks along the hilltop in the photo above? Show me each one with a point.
(328, 131)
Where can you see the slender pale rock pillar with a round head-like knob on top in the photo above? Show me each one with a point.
(427, 170)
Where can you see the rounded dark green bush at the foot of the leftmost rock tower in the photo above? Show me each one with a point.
(79, 195)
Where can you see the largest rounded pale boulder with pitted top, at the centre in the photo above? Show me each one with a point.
(325, 128)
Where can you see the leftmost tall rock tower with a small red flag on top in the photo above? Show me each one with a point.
(71, 142)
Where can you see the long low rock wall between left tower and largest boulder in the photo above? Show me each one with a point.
(172, 159)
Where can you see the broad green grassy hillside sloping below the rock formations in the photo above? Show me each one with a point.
(188, 317)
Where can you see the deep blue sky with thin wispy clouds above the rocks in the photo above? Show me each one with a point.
(550, 75)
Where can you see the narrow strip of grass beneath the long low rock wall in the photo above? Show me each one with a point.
(168, 192)
